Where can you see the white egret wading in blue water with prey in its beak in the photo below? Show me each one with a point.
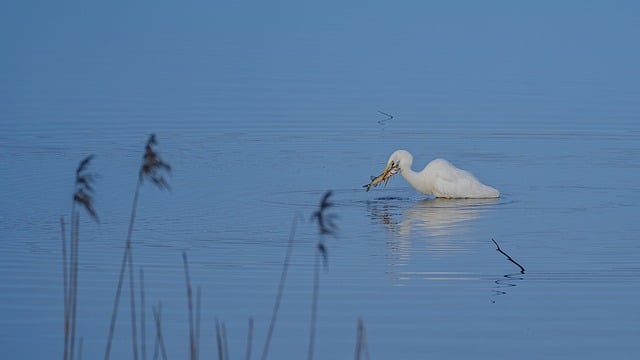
(439, 178)
